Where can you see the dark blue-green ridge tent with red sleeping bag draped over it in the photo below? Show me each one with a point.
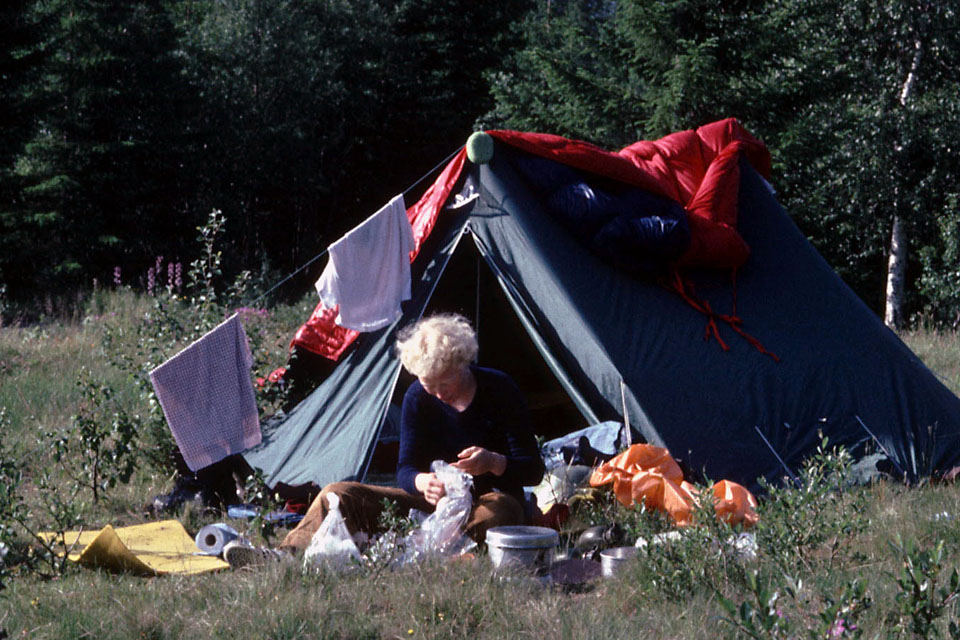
(737, 365)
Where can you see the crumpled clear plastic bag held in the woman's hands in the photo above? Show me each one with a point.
(441, 533)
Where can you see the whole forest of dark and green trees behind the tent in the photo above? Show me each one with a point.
(126, 123)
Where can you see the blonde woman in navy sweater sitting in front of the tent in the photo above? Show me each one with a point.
(472, 417)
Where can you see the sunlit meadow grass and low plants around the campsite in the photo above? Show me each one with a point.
(675, 592)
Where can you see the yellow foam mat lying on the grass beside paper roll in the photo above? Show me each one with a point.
(151, 549)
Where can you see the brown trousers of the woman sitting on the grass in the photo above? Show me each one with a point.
(361, 506)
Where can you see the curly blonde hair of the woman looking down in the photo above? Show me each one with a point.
(437, 345)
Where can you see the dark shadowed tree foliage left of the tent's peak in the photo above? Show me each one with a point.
(294, 118)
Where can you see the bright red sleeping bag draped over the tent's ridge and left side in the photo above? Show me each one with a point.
(697, 168)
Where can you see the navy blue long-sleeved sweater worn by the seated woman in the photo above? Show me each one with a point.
(497, 420)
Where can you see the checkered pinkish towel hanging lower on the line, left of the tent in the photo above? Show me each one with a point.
(207, 397)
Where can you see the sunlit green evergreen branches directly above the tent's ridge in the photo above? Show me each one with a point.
(614, 73)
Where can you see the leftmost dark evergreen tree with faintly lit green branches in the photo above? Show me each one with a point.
(102, 168)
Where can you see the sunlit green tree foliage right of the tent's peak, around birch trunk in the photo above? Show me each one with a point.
(820, 82)
